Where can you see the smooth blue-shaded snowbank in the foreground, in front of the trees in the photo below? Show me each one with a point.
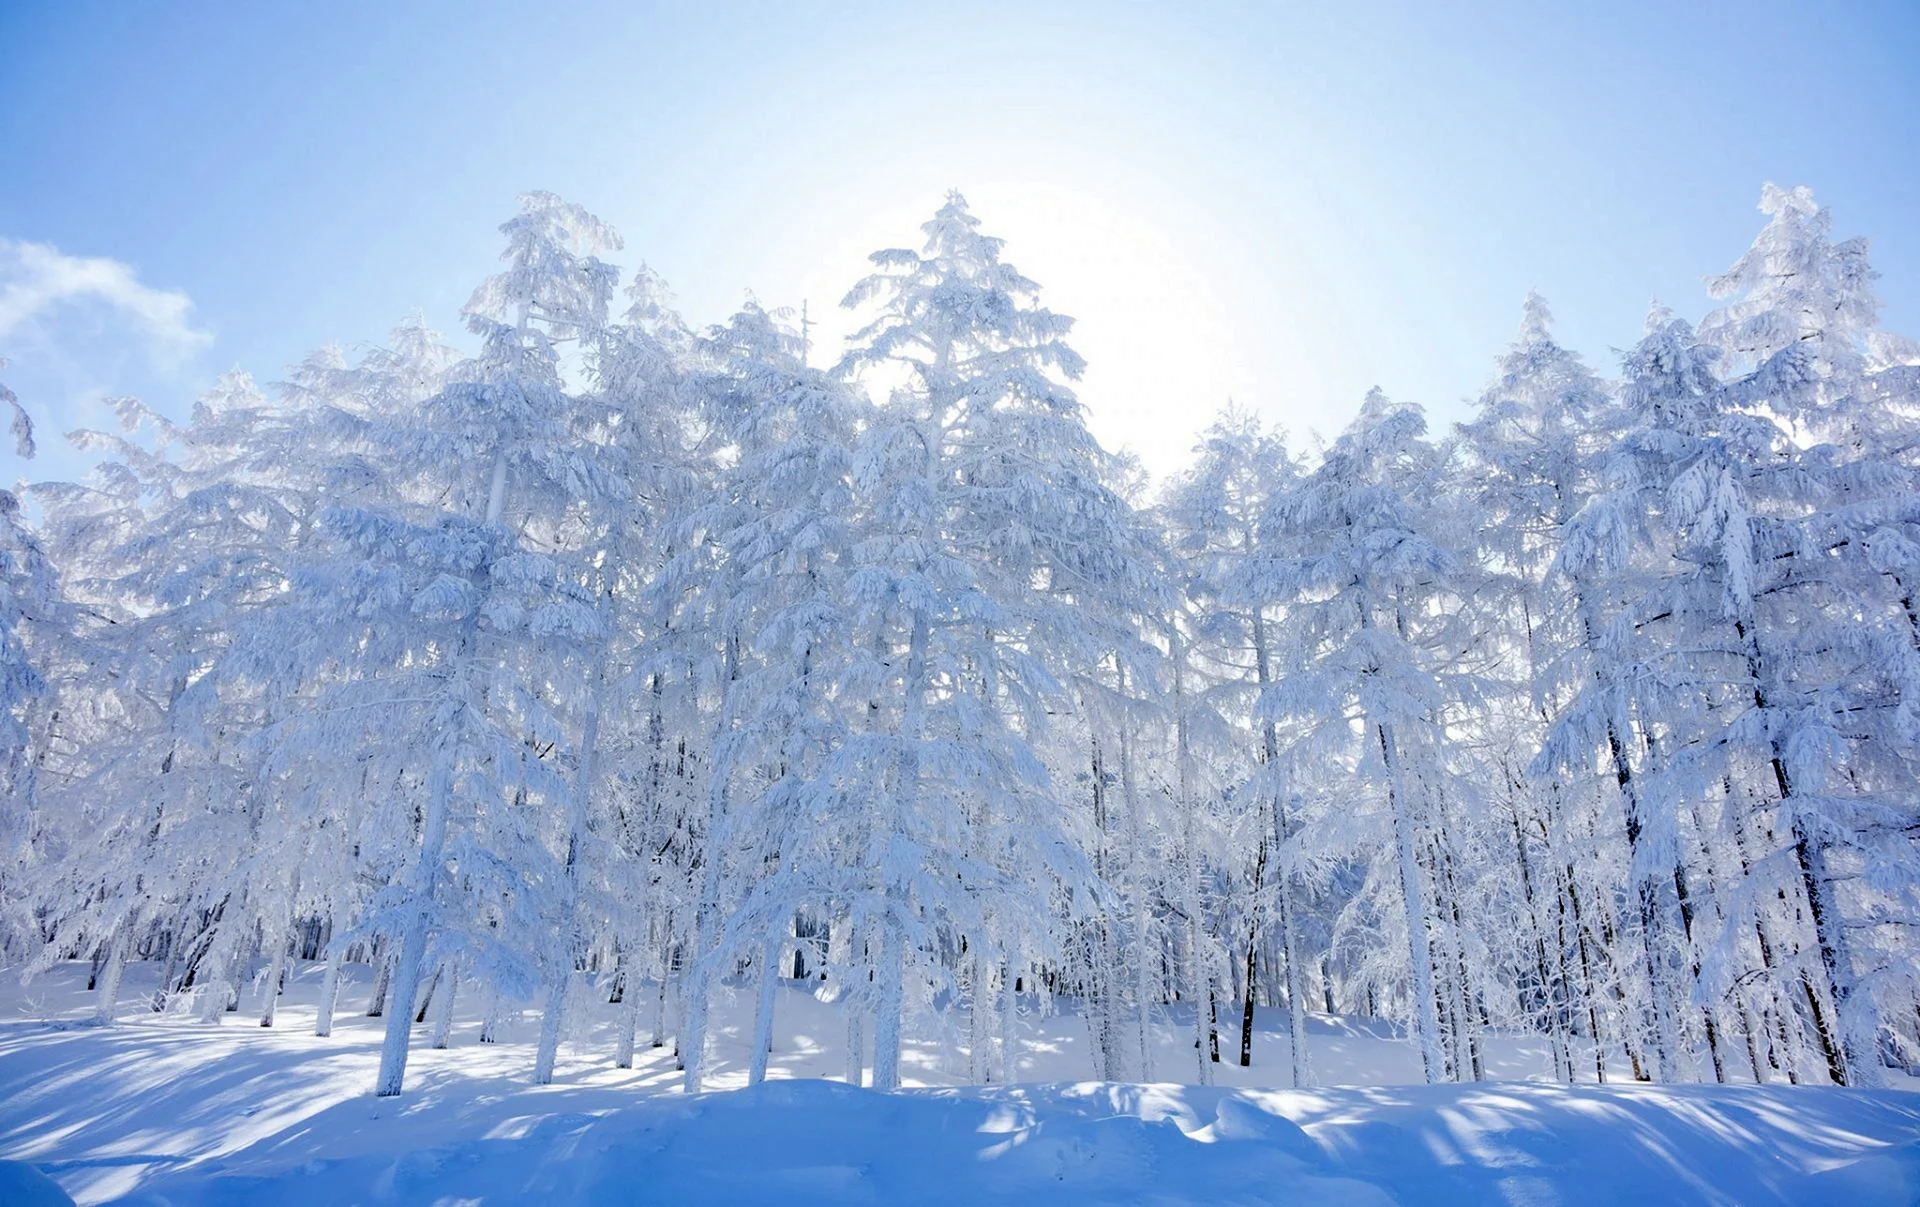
(823, 1143)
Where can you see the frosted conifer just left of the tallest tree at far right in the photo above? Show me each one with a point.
(1623, 559)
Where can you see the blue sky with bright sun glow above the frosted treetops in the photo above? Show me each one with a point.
(1278, 202)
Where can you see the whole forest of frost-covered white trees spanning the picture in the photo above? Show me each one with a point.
(619, 661)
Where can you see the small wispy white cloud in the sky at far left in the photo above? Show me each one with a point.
(37, 279)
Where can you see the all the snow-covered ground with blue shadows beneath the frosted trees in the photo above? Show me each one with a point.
(168, 1110)
